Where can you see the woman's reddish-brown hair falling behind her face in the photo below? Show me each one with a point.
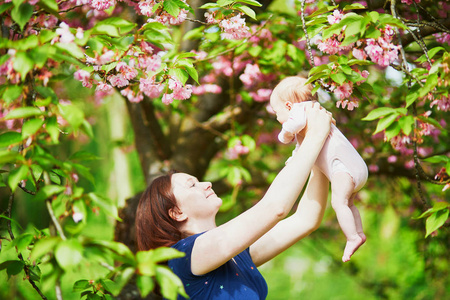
(154, 226)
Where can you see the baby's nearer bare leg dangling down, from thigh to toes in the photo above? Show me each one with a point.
(342, 187)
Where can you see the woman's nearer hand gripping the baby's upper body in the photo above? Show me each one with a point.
(318, 121)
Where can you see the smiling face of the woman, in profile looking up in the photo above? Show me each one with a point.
(195, 200)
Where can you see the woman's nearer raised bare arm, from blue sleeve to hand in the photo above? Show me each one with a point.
(218, 245)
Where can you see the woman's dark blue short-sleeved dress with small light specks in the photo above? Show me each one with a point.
(237, 279)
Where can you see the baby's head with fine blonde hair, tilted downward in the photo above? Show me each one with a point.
(290, 90)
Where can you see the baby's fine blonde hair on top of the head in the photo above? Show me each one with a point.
(293, 89)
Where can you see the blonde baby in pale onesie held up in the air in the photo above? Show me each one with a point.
(338, 159)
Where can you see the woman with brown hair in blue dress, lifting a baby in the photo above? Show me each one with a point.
(220, 263)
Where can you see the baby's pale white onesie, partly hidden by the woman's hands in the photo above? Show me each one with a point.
(337, 154)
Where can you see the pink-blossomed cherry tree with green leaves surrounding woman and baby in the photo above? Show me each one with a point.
(196, 78)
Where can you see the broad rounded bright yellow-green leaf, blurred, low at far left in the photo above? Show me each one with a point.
(69, 254)
